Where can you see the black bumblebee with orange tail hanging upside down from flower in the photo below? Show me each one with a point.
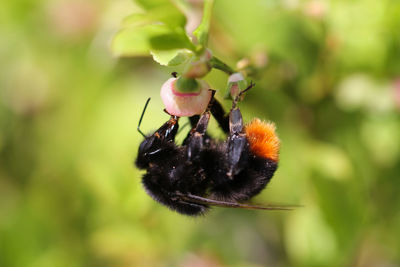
(204, 172)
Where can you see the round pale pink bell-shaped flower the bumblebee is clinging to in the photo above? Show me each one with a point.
(183, 104)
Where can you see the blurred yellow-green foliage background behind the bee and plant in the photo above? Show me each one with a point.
(330, 79)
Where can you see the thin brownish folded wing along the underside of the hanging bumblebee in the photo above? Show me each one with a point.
(226, 204)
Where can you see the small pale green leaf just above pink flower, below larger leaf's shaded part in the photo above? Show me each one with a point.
(171, 57)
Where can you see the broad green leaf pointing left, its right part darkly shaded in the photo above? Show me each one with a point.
(139, 40)
